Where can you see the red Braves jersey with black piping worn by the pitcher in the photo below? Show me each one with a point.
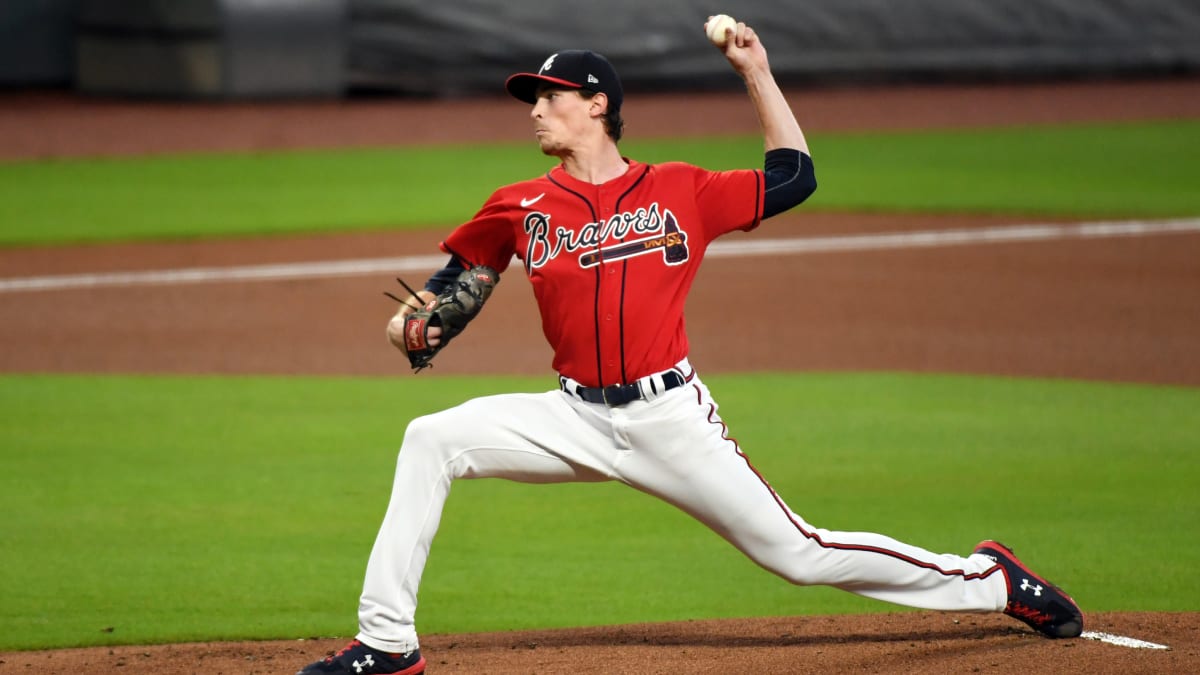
(611, 265)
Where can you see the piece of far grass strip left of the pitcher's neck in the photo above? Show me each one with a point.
(214, 195)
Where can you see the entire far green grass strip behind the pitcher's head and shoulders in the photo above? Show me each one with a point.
(1090, 171)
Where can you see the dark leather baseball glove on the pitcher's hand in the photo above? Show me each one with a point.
(452, 310)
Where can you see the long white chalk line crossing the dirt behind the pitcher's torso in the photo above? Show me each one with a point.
(920, 240)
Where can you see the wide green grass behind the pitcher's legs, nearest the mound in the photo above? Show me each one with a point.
(152, 510)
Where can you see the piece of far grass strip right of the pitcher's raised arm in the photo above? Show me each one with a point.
(1105, 171)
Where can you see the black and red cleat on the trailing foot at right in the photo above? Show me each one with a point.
(1031, 599)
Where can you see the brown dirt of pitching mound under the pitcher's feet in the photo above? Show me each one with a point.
(885, 643)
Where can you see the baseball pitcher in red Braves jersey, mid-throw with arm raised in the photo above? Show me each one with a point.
(611, 247)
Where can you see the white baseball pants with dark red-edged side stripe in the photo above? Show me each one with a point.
(674, 447)
